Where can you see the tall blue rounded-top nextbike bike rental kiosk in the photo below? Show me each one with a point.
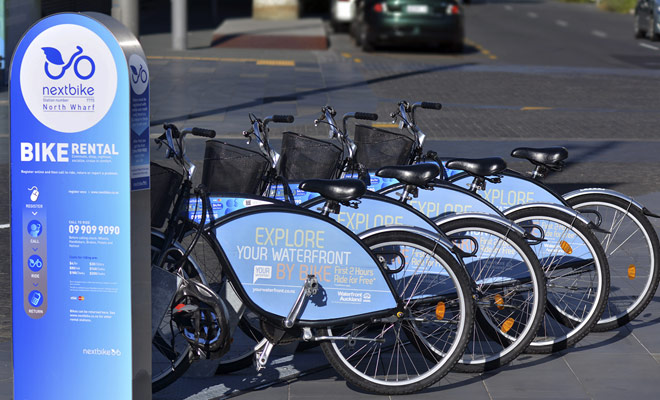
(80, 251)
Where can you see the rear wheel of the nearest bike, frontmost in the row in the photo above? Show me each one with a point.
(420, 322)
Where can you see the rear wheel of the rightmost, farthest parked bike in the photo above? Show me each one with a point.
(632, 250)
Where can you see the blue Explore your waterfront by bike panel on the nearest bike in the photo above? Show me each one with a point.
(273, 253)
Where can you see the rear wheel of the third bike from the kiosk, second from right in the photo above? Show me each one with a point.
(572, 260)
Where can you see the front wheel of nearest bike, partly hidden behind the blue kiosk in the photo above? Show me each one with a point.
(170, 360)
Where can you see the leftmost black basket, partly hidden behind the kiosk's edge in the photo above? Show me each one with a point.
(165, 183)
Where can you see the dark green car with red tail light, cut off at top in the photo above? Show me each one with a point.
(432, 22)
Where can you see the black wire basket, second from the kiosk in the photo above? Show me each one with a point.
(229, 168)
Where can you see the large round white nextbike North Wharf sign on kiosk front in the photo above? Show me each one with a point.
(68, 78)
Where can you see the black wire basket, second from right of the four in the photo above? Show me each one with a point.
(304, 157)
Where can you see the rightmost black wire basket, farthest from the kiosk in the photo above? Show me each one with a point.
(377, 148)
